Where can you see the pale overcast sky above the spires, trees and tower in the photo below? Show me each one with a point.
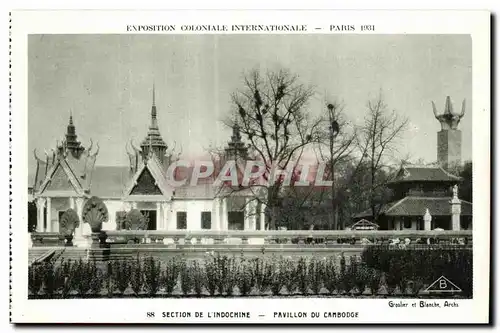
(106, 80)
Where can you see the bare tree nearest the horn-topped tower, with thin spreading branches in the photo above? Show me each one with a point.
(378, 142)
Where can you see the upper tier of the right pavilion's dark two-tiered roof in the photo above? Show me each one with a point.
(424, 174)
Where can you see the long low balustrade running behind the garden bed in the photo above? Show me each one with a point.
(272, 237)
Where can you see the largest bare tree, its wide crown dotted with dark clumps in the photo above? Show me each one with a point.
(271, 113)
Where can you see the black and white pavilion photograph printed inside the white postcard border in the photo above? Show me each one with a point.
(269, 165)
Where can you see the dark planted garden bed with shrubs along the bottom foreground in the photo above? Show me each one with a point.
(379, 273)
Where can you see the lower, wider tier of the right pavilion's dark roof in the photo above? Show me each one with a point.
(416, 206)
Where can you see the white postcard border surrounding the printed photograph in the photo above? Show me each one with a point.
(476, 23)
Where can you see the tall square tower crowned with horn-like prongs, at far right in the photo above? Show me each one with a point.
(449, 139)
